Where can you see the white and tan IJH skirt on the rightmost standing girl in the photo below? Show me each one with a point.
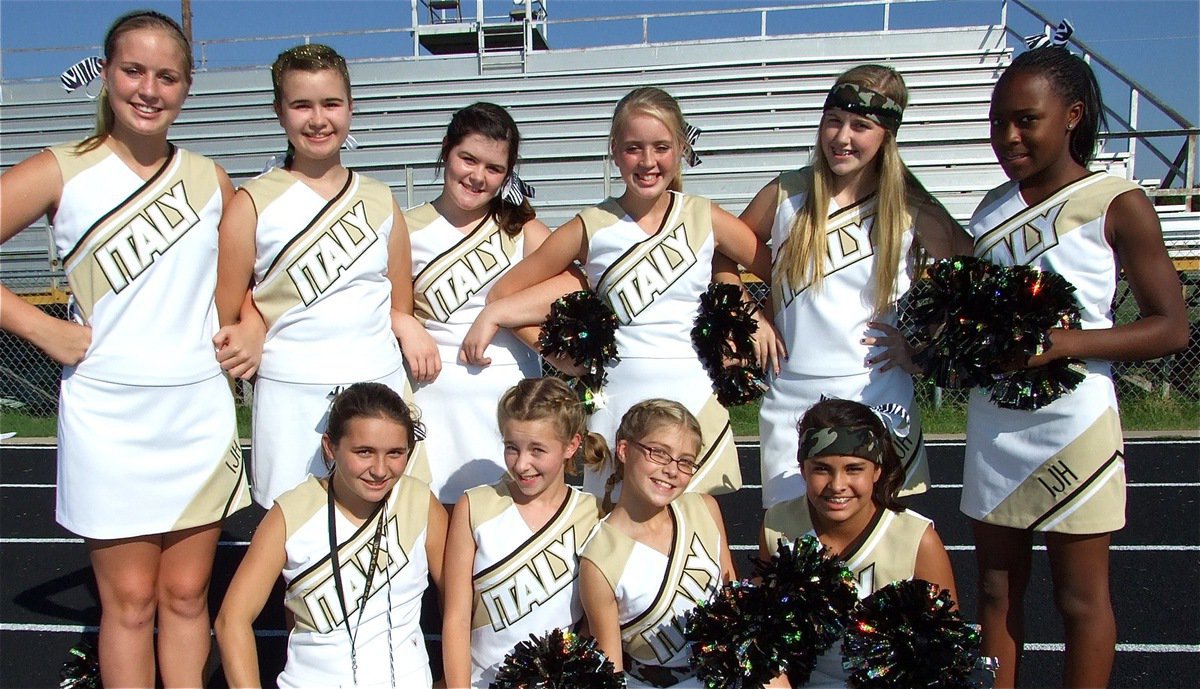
(1060, 469)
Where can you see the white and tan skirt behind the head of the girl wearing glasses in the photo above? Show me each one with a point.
(632, 381)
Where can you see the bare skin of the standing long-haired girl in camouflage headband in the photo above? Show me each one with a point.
(937, 232)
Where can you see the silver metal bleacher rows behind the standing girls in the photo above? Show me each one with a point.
(758, 103)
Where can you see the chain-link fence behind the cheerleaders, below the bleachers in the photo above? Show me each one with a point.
(29, 380)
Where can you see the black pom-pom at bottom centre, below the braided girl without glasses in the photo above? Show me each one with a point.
(557, 661)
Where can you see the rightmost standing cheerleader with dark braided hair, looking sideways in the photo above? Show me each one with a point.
(1059, 470)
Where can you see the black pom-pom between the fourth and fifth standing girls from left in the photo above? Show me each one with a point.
(724, 331)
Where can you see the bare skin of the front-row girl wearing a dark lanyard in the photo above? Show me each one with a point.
(382, 454)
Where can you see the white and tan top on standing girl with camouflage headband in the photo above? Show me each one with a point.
(836, 313)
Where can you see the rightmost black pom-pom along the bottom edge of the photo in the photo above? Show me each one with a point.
(908, 636)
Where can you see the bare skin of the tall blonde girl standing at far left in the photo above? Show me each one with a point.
(160, 578)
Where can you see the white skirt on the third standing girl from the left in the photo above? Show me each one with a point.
(463, 446)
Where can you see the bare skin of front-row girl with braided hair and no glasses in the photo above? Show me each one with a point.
(523, 440)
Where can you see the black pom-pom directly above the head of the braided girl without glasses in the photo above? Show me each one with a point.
(583, 328)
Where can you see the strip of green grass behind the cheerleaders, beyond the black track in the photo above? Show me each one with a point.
(1139, 412)
